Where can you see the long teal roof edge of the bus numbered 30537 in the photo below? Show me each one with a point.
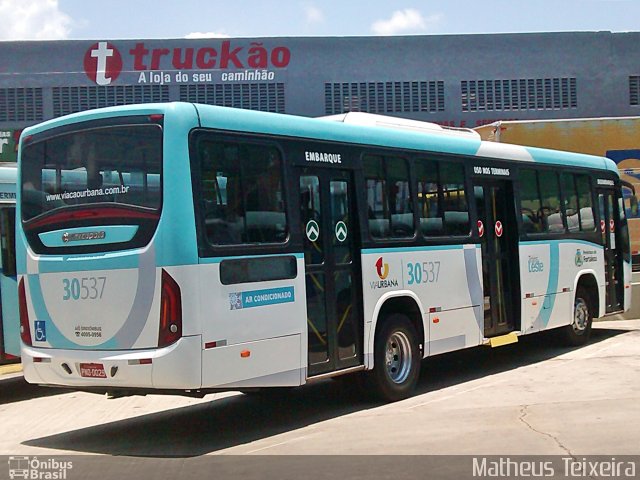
(250, 121)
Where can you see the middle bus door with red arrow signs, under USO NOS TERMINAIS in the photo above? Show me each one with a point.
(498, 232)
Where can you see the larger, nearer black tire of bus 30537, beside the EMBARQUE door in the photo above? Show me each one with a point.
(396, 359)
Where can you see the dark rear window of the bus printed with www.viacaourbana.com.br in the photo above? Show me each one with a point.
(116, 165)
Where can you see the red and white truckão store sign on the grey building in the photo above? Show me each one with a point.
(226, 62)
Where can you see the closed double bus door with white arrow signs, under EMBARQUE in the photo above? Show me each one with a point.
(332, 265)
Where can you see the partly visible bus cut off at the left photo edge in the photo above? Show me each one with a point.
(9, 323)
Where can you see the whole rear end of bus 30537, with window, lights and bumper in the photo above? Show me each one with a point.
(100, 302)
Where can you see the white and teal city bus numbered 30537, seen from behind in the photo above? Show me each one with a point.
(181, 248)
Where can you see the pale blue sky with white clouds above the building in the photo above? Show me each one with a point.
(126, 19)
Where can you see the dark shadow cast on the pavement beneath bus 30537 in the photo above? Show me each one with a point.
(240, 419)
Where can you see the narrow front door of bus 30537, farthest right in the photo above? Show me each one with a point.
(612, 242)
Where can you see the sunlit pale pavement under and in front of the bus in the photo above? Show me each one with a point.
(535, 397)
